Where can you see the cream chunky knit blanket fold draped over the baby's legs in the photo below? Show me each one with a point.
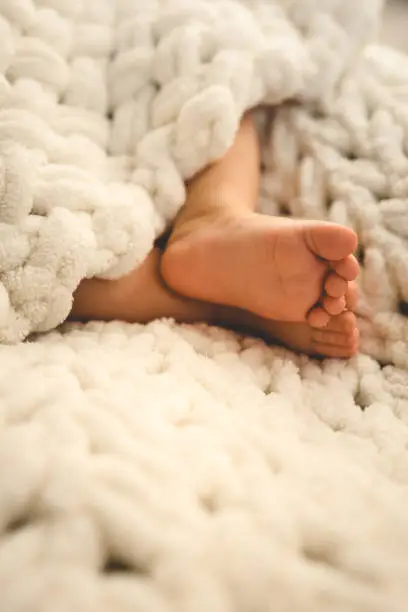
(107, 106)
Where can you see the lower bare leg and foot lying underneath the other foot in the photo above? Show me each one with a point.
(142, 296)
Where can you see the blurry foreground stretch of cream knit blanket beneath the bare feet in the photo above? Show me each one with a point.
(173, 469)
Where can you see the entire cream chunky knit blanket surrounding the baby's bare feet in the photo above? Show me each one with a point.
(172, 468)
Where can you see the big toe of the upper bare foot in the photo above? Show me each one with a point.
(329, 241)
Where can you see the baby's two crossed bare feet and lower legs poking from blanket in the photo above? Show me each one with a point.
(289, 281)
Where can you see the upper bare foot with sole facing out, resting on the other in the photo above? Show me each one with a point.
(279, 269)
